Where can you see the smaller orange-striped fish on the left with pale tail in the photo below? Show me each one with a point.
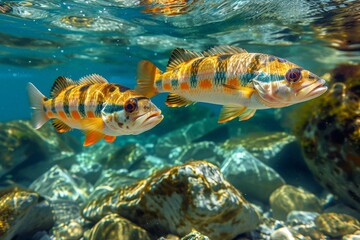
(100, 109)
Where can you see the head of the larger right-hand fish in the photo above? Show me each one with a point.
(285, 84)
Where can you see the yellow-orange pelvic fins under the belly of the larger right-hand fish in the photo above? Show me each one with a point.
(232, 111)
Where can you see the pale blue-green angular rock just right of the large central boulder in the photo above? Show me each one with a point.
(249, 175)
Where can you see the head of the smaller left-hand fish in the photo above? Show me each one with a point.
(137, 115)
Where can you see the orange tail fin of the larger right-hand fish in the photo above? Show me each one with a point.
(146, 75)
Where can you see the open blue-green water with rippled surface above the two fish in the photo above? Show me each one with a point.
(38, 44)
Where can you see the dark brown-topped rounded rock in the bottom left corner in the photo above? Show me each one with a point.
(23, 213)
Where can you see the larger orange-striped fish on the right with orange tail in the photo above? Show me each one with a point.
(243, 82)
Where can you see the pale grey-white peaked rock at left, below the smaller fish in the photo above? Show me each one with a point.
(58, 183)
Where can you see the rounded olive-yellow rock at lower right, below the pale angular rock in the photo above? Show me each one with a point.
(289, 198)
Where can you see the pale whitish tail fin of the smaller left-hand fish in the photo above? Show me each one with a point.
(36, 102)
